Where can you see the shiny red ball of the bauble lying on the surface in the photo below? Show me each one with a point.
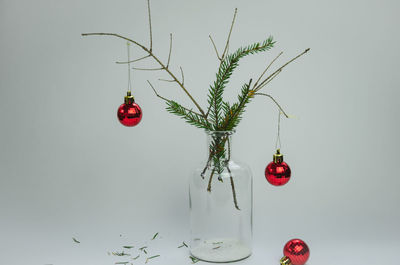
(297, 251)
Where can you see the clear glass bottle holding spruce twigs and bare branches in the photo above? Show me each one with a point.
(221, 204)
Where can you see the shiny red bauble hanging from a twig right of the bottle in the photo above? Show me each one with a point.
(277, 172)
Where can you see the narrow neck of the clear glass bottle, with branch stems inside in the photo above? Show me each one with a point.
(219, 148)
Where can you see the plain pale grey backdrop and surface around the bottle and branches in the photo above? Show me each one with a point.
(69, 169)
